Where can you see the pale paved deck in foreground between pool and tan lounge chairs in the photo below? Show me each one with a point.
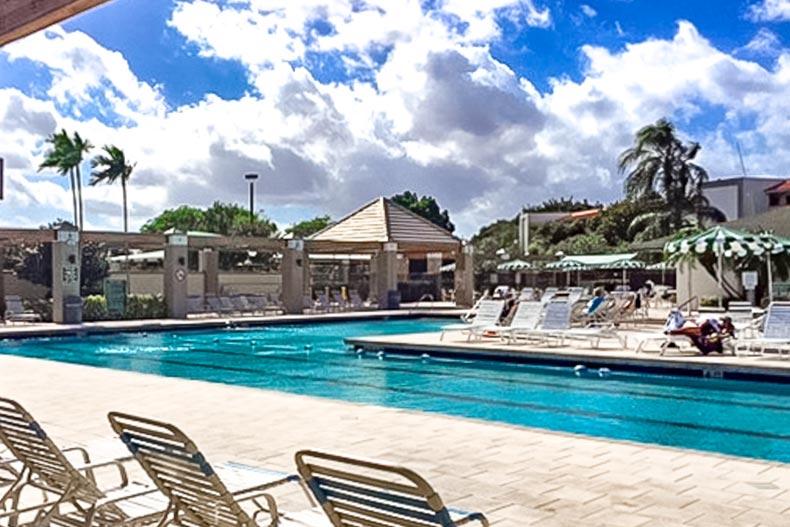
(517, 476)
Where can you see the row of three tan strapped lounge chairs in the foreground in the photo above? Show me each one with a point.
(186, 490)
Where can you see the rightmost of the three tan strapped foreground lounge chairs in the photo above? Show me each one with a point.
(355, 492)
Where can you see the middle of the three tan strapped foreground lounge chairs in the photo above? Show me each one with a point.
(199, 494)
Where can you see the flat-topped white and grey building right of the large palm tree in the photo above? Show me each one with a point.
(739, 197)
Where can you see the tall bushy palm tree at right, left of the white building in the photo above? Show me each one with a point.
(662, 175)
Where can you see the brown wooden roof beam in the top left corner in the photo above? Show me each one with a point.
(19, 18)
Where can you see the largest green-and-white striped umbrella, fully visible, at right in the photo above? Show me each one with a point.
(721, 242)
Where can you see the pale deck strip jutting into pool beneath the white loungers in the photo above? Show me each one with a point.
(609, 354)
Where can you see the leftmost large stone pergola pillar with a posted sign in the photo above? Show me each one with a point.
(66, 299)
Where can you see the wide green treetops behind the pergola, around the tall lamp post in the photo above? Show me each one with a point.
(219, 218)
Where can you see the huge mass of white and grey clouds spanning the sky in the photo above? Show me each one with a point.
(436, 113)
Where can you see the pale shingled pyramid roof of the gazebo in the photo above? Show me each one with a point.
(383, 221)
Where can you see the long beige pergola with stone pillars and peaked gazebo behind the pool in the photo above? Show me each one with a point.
(380, 229)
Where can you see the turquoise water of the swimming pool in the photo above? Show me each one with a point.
(733, 417)
